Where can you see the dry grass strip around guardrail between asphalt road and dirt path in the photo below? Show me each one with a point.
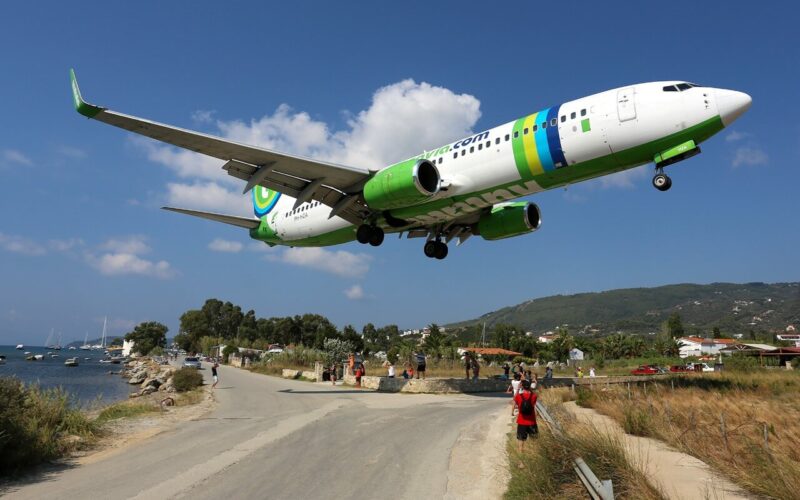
(547, 460)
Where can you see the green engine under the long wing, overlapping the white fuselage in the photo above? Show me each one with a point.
(402, 185)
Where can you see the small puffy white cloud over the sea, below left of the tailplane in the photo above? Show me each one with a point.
(122, 257)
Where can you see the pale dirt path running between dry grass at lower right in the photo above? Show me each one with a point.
(678, 475)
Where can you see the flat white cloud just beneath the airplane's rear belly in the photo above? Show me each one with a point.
(338, 262)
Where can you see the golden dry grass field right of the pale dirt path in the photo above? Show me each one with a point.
(721, 419)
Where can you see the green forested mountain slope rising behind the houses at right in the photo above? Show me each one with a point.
(734, 308)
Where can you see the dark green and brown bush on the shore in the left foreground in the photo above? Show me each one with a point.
(34, 425)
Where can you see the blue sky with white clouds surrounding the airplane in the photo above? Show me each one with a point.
(369, 83)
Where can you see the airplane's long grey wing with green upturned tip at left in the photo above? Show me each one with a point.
(337, 186)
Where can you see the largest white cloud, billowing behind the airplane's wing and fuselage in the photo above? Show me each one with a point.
(402, 120)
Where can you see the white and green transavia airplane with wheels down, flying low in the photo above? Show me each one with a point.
(463, 188)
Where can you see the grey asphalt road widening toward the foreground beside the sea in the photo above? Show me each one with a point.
(274, 438)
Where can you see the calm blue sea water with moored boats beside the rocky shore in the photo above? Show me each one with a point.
(85, 383)
